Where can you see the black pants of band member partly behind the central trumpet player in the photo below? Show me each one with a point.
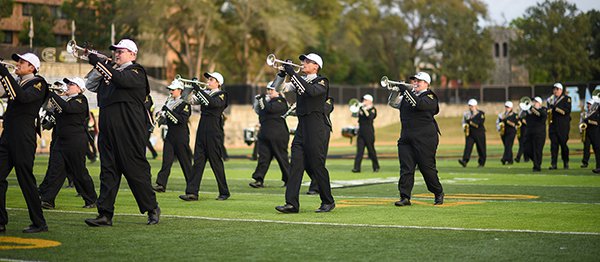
(269, 148)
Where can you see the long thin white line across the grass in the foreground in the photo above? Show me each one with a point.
(343, 224)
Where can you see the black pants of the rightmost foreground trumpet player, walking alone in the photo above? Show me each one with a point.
(417, 148)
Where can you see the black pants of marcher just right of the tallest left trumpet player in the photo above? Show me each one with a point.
(175, 147)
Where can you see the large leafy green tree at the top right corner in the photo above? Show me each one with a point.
(553, 40)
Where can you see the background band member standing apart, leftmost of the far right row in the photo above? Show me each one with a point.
(472, 122)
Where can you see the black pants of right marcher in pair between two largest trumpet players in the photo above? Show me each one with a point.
(208, 147)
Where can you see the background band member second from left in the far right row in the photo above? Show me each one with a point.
(506, 125)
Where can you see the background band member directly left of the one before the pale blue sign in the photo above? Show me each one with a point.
(536, 133)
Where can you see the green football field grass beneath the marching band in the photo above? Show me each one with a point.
(492, 213)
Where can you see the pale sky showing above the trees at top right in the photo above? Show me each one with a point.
(503, 11)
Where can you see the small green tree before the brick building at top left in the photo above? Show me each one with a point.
(43, 21)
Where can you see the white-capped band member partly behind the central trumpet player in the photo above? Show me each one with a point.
(273, 135)
